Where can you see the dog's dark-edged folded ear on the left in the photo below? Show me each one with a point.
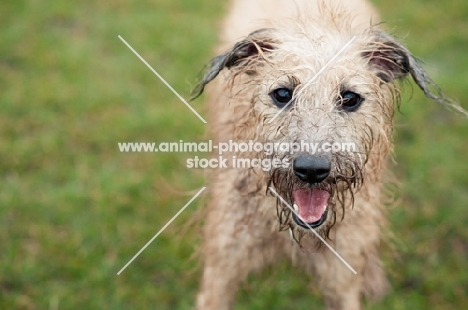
(256, 44)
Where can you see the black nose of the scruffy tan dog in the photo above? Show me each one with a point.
(311, 169)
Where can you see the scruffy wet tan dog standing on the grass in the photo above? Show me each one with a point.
(303, 73)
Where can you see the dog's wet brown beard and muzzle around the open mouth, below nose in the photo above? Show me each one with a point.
(318, 204)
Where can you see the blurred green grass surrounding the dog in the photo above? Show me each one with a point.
(74, 210)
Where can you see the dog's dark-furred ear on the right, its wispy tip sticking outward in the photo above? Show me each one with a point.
(393, 61)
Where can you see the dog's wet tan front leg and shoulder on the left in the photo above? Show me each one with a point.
(239, 239)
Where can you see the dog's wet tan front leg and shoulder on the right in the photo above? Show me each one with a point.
(356, 240)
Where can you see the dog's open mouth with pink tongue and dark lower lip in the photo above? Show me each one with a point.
(311, 206)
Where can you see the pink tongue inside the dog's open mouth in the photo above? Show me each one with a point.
(311, 203)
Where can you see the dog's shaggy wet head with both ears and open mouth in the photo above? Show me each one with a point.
(324, 90)
